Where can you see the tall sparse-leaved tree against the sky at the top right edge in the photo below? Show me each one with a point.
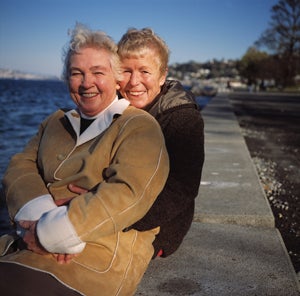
(282, 38)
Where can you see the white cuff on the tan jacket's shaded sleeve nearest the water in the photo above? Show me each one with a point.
(34, 209)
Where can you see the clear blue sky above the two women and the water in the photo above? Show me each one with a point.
(33, 32)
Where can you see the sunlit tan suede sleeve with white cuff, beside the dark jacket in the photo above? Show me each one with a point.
(135, 176)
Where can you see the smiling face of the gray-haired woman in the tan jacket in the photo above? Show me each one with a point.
(92, 83)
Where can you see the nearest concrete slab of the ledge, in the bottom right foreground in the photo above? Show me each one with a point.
(217, 259)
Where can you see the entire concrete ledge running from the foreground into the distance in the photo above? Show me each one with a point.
(233, 247)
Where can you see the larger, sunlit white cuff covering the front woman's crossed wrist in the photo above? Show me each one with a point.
(57, 234)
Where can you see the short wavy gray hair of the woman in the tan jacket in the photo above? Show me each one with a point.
(82, 37)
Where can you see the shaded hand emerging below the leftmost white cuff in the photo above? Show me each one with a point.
(31, 239)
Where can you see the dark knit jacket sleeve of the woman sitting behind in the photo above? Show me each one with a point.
(184, 135)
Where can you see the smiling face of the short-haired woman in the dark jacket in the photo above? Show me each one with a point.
(141, 78)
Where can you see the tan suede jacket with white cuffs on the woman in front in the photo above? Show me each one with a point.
(124, 167)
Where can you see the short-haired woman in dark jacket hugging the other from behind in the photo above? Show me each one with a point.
(144, 59)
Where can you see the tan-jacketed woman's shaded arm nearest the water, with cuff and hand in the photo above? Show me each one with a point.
(27, 195)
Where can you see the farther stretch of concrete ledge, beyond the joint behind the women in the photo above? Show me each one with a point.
(230, 190)
